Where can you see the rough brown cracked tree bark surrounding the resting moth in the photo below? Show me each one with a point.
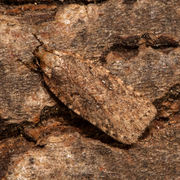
(138, 41)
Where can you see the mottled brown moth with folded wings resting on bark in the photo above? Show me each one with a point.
(96, 95)
